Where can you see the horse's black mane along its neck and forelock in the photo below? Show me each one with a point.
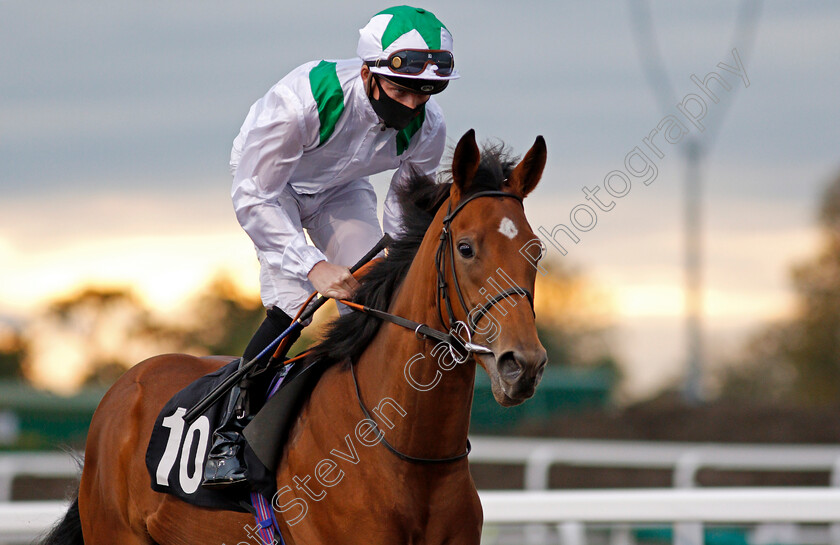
(420, 198)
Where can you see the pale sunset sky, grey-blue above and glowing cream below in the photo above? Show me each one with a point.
(116, 121)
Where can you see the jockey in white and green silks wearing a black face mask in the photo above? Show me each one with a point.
(301, 162)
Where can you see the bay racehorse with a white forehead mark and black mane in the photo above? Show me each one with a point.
(378, 452)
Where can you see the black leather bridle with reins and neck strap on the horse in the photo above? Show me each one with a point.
(458, 347)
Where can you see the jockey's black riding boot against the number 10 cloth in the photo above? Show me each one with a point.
(225, 465)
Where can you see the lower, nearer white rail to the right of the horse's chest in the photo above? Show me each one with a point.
(773, 514)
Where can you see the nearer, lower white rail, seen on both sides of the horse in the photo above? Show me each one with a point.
(569, 510)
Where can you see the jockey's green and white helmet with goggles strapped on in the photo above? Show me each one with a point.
(408, 43)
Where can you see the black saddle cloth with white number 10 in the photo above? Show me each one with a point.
(176, 453)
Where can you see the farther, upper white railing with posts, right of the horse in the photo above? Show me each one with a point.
(538, 455)
